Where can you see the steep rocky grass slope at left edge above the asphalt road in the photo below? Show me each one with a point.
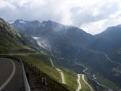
(9, 38)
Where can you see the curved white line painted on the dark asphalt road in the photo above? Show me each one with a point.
(10, 77)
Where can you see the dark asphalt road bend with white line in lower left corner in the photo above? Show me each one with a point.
(11, 78)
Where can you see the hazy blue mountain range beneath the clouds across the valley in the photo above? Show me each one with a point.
(72, 47)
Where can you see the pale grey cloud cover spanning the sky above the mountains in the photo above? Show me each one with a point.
(59, 10)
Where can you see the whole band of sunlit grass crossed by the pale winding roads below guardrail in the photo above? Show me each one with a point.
(41, 62)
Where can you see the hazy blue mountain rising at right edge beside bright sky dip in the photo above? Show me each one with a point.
(109, 42)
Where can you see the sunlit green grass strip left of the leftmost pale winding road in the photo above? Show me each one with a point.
(42, 66)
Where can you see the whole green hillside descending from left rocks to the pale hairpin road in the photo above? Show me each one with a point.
(40, 73)
